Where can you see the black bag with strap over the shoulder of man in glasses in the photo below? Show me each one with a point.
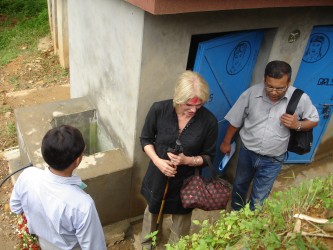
(300, 142)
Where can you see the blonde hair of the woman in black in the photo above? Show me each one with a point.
(189, 85)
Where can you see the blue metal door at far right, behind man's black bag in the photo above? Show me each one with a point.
(315, 77)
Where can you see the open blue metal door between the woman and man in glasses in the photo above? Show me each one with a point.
(227, 63)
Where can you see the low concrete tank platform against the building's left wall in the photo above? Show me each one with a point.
(107, 173)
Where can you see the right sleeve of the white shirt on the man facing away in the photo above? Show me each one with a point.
(89, 232)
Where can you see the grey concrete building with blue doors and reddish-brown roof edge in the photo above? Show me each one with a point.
(124, 55)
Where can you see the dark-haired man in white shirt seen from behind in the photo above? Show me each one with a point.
(57, 209)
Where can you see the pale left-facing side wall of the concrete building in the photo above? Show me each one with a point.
(105, 62)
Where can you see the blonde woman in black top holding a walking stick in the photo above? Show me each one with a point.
(184, 119)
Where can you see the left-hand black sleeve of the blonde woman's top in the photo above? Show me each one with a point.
(149, 129)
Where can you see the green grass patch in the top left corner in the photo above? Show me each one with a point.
(22, 23)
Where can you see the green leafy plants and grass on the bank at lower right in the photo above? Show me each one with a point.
(270, 227)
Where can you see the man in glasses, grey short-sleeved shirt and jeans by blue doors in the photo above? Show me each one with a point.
(260, 114)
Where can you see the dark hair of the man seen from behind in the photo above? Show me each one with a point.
(61, 146)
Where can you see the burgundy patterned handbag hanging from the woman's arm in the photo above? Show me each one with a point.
(205, 193)
